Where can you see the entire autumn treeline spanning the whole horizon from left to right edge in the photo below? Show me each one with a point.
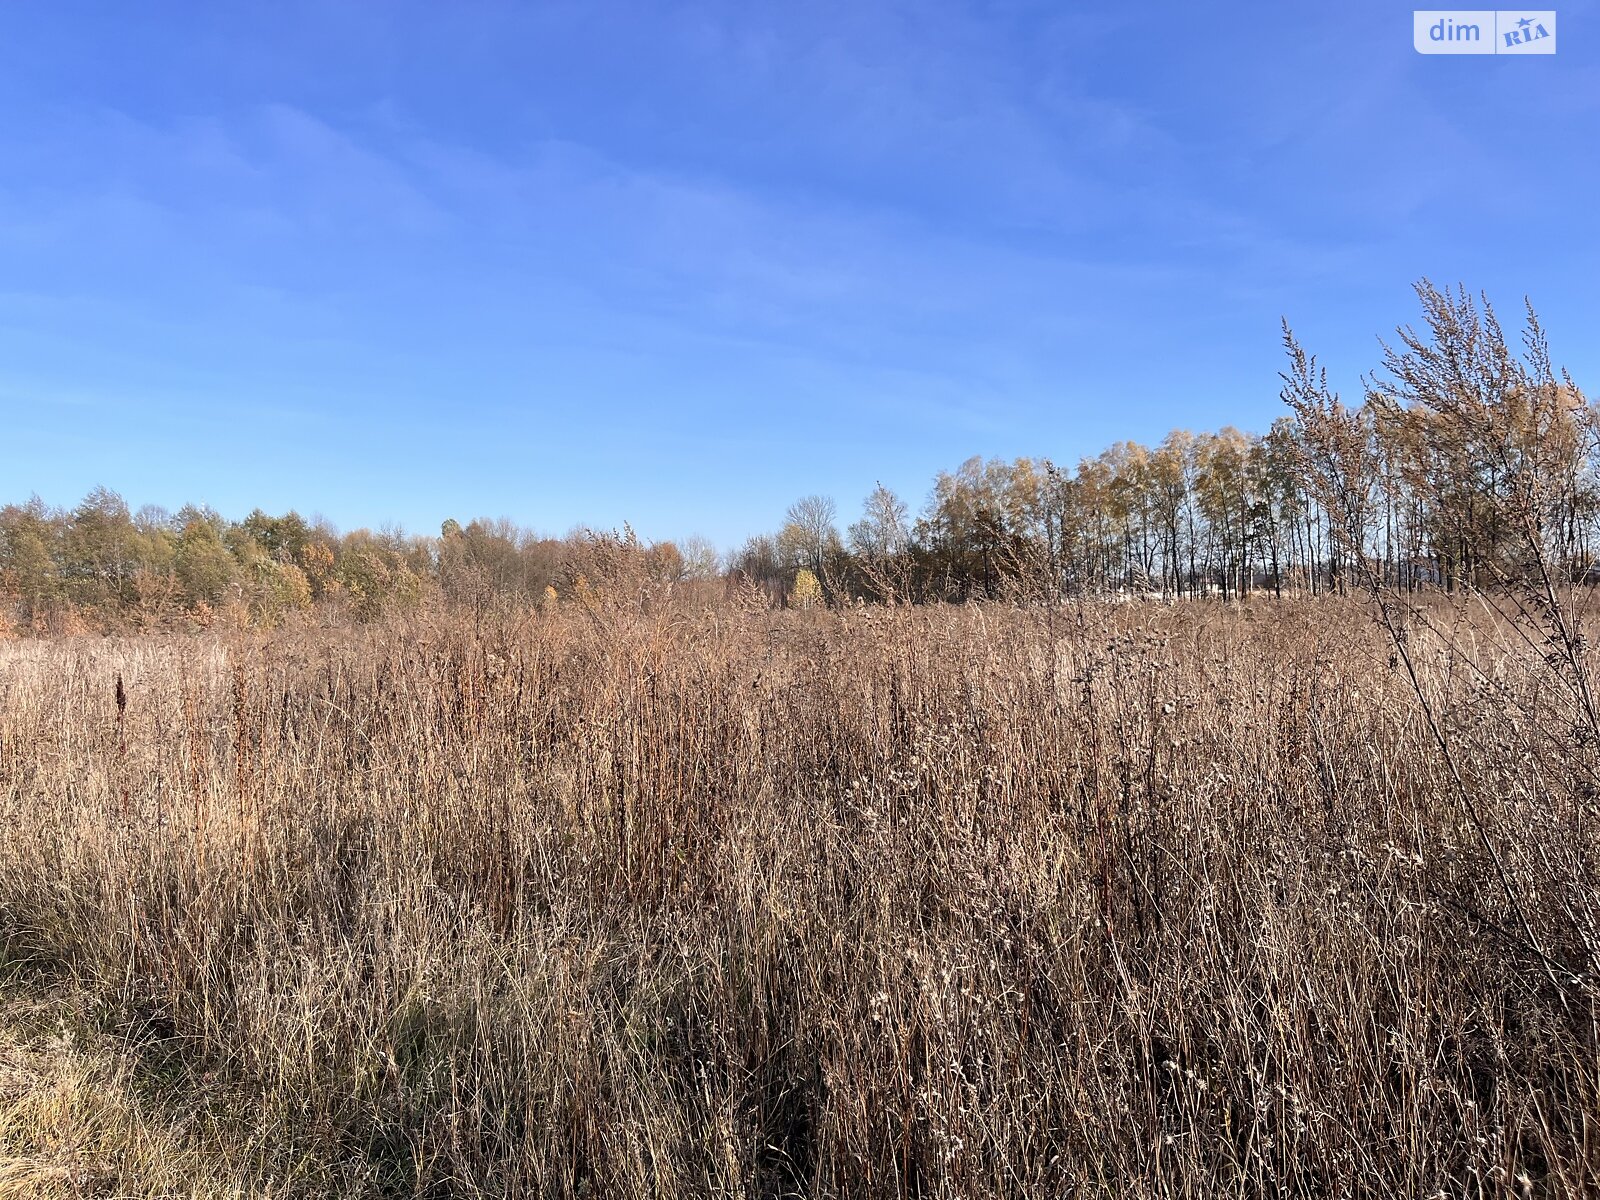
(1468, 463)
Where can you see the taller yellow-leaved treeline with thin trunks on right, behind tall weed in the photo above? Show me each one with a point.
(1466, 465)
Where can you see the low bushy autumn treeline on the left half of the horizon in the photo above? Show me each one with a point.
(102, 567)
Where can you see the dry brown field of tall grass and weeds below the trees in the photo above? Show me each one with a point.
(954, 902)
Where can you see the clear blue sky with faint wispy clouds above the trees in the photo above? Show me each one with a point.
(682, 263)
